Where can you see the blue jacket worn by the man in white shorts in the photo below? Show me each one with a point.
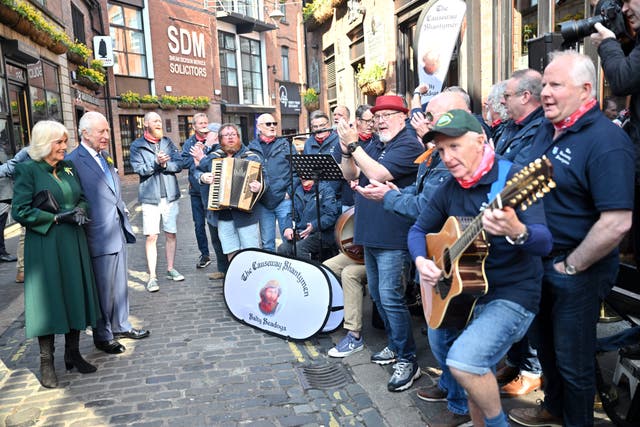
(142, 156)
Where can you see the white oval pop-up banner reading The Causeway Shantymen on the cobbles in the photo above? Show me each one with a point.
(287, 297)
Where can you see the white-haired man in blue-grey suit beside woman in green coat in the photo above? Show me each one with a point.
(108, 232)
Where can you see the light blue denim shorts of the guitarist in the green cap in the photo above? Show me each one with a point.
(494, 327)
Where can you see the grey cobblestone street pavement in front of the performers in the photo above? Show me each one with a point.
(199, 367)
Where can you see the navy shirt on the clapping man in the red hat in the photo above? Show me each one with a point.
(374, 226)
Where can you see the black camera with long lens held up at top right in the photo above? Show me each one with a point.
(607, 12)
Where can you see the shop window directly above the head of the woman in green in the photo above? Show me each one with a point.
(44, 91)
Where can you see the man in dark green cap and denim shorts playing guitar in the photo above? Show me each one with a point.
(513, 267)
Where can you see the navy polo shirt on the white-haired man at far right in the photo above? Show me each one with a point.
(593, 167)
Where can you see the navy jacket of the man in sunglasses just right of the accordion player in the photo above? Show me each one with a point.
(275, 168)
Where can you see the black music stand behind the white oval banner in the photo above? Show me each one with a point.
(318, 167)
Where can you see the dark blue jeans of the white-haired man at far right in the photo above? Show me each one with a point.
(565, 335)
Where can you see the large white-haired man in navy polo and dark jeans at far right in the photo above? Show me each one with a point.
(588, 213)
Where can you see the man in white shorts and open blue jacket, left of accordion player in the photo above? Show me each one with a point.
(157, 160)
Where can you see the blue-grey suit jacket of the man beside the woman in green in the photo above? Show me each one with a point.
(106, 207)
